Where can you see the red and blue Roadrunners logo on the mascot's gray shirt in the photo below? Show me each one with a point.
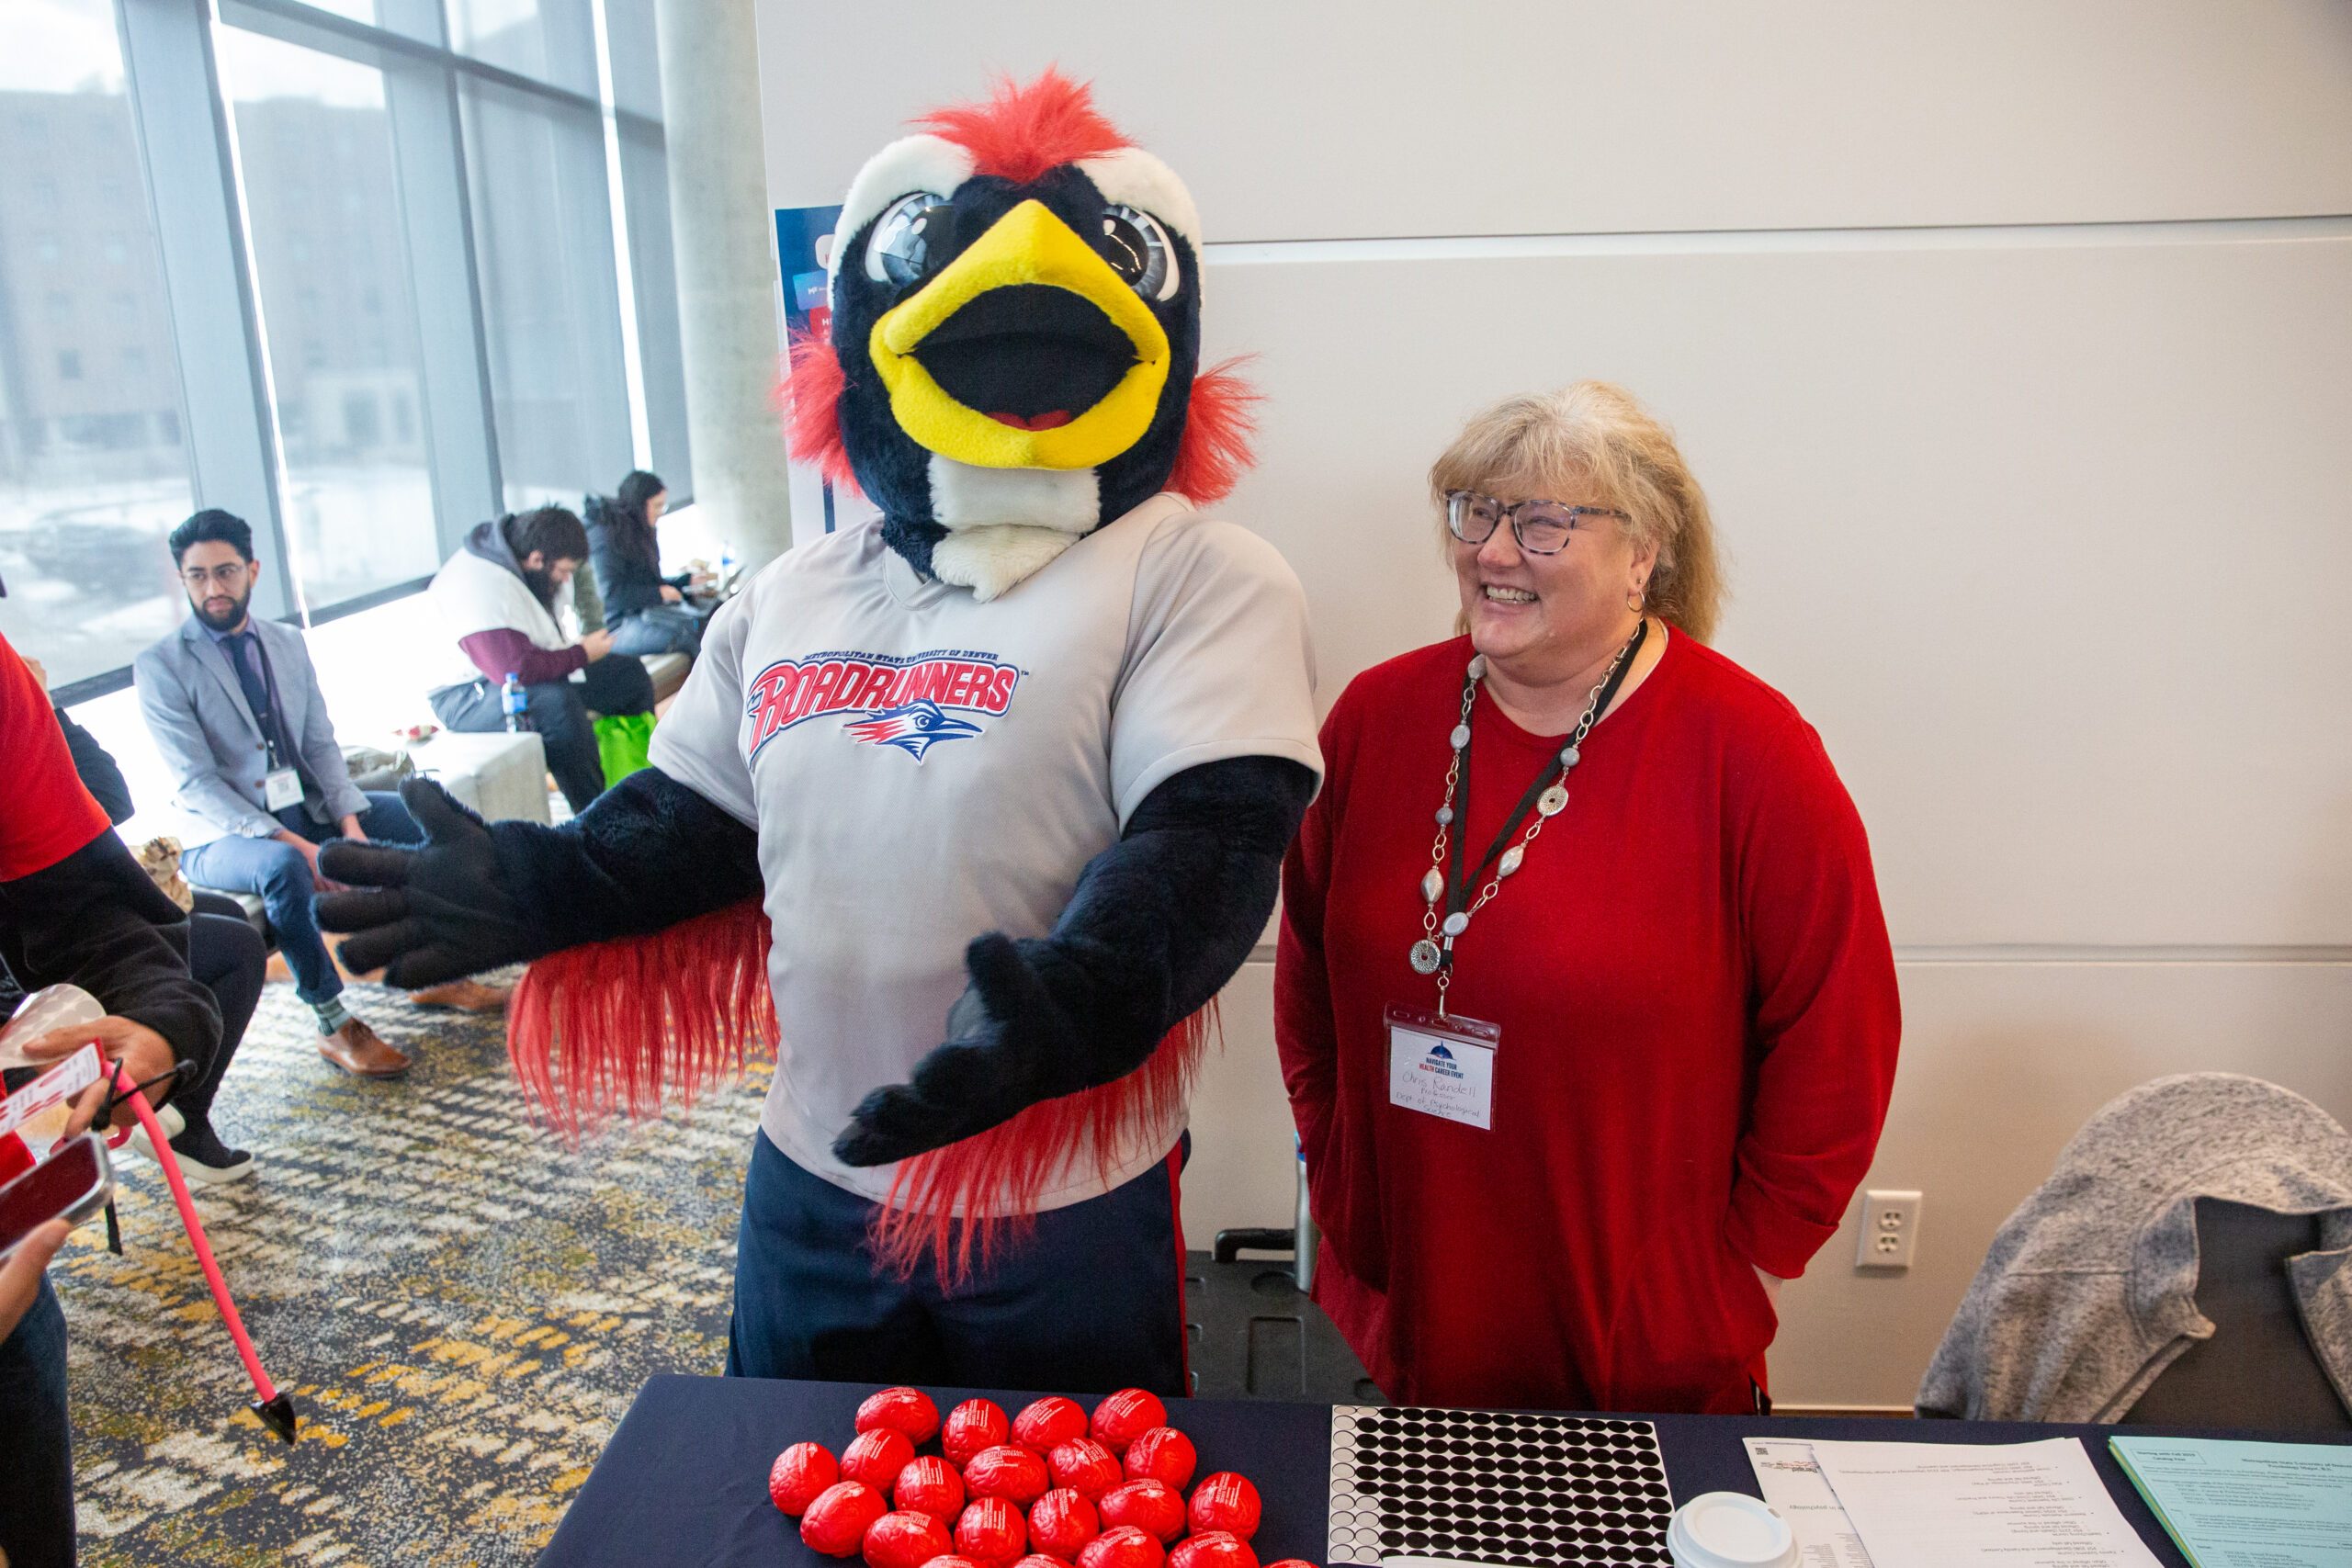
(909, 704)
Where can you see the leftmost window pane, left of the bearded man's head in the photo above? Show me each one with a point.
(93, 457)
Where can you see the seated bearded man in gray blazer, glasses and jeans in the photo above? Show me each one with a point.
(236, 713)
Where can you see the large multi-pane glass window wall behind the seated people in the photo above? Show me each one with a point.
(361, 272)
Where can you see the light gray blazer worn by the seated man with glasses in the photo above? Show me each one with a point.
(196, 711)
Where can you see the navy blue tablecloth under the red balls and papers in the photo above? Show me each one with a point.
(686, 1477)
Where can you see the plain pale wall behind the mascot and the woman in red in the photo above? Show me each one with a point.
(2012, 349)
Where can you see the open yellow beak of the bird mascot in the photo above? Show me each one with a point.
(1029, 246)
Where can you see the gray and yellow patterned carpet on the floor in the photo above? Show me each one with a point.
(462, 1308)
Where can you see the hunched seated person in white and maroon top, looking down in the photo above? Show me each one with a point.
(497, 601)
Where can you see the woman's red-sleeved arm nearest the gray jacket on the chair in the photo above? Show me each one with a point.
(1826, 1019)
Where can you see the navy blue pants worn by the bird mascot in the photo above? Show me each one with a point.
(1085, 1304)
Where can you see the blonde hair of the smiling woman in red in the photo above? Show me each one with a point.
(1598, 438)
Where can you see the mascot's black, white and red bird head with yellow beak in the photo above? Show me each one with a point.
(1015, 340)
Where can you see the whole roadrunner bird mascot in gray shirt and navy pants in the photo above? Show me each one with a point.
(968, 812)
